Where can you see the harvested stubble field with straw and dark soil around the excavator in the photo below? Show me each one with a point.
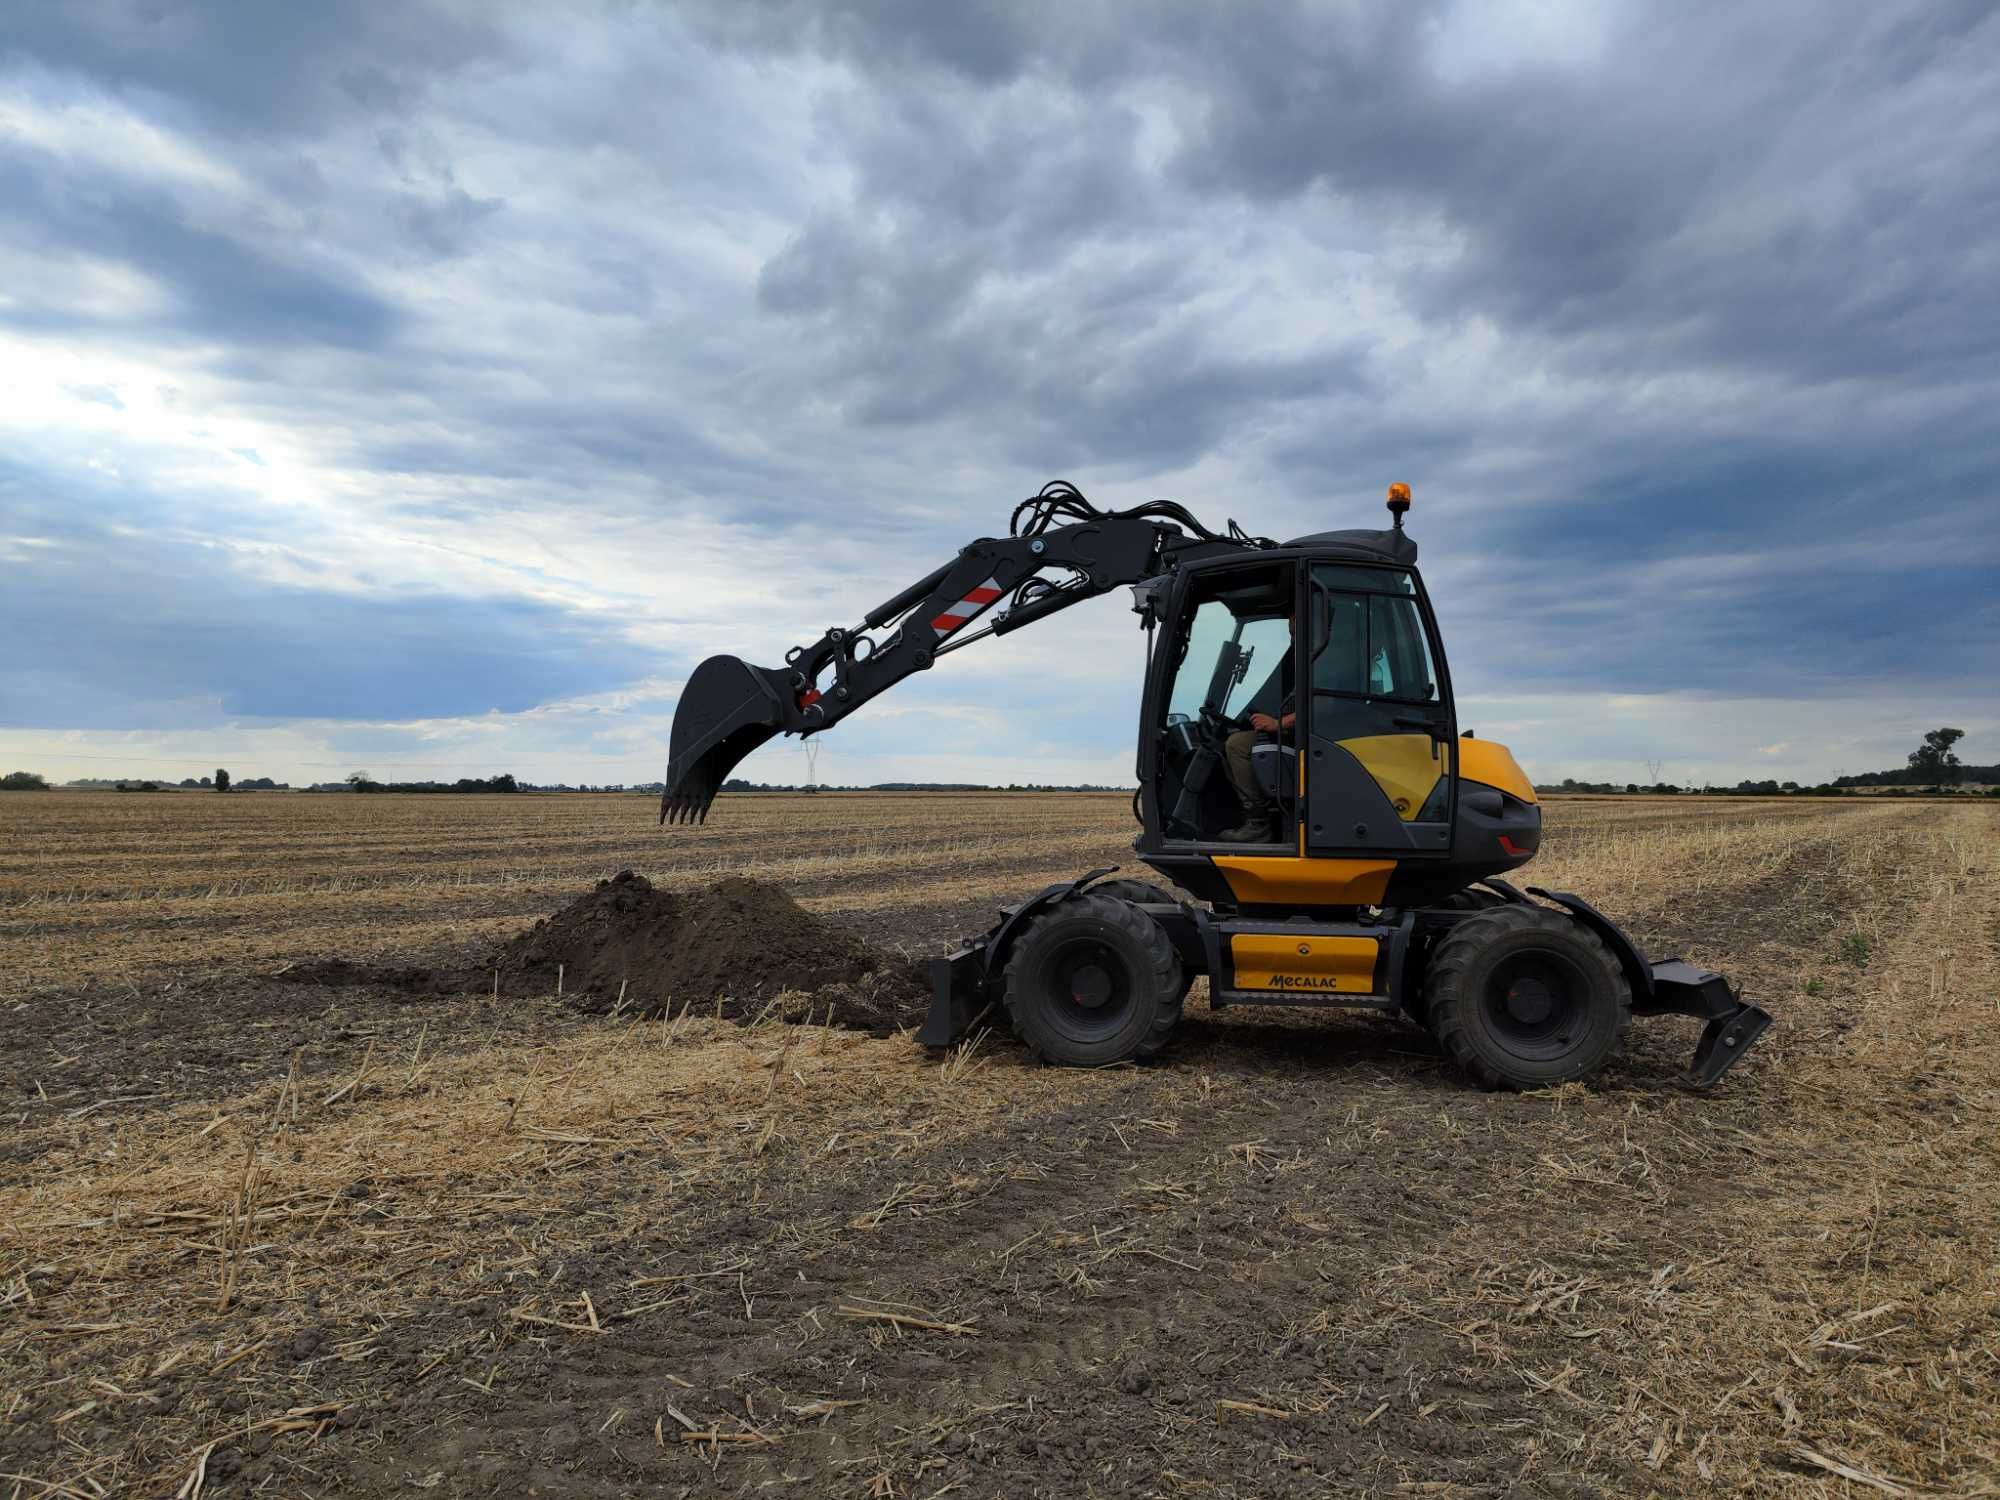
(307, 1239)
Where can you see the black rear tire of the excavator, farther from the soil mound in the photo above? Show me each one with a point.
(1523, 997)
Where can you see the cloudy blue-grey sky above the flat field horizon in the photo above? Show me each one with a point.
(427, 389)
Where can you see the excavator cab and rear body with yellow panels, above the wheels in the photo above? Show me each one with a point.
(1373, 797)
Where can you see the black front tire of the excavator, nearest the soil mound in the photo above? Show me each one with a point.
(1093, 981)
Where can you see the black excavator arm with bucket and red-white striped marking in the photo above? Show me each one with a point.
(1061, 555)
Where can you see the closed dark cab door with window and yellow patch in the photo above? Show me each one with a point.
(1379, 735)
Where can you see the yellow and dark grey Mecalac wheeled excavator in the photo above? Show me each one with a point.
(1301, 777)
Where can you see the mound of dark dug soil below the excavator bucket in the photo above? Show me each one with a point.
(739, 943)
